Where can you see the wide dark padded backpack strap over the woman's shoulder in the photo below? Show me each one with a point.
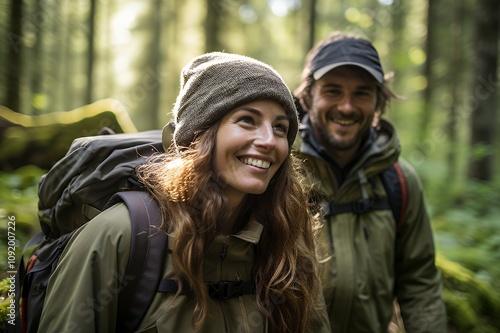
(144, 268)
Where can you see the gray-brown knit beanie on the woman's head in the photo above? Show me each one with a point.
(215, 83)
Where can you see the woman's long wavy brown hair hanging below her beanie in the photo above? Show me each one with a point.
(190, 194)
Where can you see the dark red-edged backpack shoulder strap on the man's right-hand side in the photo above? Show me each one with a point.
(395, 185)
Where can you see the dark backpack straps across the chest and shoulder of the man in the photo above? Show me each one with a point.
(396, 188)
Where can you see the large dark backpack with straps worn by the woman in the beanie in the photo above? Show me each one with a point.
(96, 173)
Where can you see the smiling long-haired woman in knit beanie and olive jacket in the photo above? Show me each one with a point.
(233, 207)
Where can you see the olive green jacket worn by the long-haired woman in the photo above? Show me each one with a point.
(82, 292)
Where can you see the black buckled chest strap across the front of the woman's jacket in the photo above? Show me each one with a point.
(219, 290)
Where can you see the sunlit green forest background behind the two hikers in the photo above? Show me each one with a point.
(64, 64)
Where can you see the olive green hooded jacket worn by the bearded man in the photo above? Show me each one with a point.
(366, 263)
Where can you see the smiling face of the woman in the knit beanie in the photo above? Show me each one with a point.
(251, 143)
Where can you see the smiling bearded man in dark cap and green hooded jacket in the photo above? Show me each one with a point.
(370, 260)
